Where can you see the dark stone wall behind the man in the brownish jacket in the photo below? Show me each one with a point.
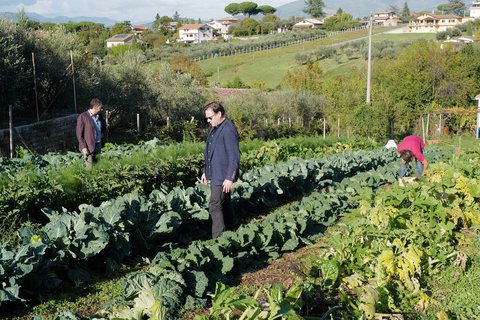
(42, 137)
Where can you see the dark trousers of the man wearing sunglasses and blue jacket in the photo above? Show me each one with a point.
(221, 211)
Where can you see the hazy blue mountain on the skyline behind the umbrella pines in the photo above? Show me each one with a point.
(358, 8)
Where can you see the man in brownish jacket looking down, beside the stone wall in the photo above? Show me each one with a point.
(90, 128)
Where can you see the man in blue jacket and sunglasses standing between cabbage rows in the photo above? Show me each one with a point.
(222, 160)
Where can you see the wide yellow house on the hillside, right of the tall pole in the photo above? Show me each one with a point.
(429, 23)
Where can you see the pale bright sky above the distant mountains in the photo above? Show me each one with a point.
(140, 11)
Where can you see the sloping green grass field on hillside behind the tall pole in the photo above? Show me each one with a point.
(271, 66)
